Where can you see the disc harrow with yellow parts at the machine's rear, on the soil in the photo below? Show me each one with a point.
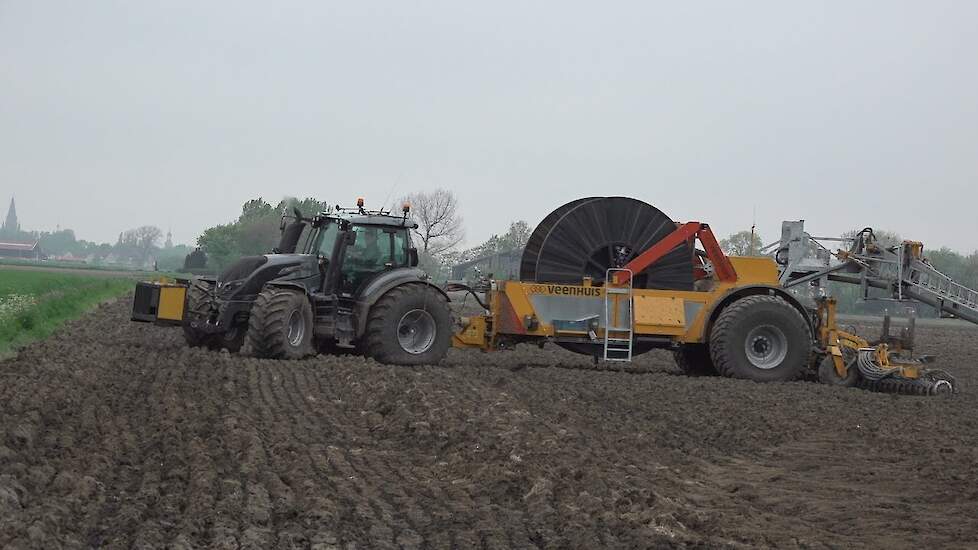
(876, 377)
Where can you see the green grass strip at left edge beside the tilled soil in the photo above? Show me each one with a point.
(34, 304)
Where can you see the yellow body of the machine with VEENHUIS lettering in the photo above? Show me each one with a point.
(545, 310)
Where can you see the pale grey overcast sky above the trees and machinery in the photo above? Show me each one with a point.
(846, 114)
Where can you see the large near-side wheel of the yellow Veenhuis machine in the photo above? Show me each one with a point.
(761, 338)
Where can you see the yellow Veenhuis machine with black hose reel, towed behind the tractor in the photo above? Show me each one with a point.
(732, 316)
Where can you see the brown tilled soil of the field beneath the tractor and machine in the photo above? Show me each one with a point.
(114, 434)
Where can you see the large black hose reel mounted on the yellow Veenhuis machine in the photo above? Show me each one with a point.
(586, 237)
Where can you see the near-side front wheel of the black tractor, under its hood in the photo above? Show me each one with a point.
(281, 325)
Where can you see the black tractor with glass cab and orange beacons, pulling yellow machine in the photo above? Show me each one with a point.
(343, 280)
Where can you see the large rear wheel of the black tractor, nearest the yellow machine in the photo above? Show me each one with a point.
(410, 325)
